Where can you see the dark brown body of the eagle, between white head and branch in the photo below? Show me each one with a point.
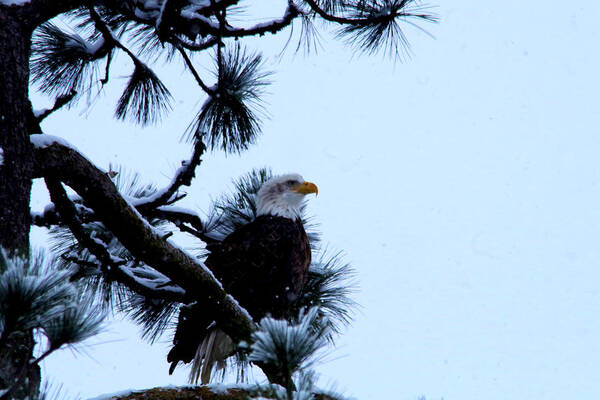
(264, 265)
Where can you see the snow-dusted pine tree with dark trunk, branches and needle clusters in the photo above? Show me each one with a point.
(110, 239)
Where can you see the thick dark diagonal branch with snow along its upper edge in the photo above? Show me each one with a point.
(141, 240)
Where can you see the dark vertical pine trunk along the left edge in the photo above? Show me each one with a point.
(15, 181)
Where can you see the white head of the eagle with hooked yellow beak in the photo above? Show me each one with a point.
(282, 195)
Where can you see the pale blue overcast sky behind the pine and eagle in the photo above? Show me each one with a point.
(463, 185)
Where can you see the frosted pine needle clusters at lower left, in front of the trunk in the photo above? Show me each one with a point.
(36, 296)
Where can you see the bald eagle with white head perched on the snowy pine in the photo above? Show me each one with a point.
(263, 265)
